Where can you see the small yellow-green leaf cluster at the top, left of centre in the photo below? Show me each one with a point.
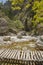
(16, 4)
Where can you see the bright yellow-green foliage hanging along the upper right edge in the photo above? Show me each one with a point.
(38, 10)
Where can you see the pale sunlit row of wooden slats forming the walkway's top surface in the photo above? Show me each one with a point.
(22, 55)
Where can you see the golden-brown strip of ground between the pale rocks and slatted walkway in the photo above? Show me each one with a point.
(20, 45)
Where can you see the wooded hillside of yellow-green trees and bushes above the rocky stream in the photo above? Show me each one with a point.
(23, 15)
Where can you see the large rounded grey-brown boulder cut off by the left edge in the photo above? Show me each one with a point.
(3, 26)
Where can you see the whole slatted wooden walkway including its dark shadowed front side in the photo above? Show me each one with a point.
(27, 57)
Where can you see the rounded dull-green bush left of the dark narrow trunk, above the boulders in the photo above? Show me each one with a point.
(16, 24)
